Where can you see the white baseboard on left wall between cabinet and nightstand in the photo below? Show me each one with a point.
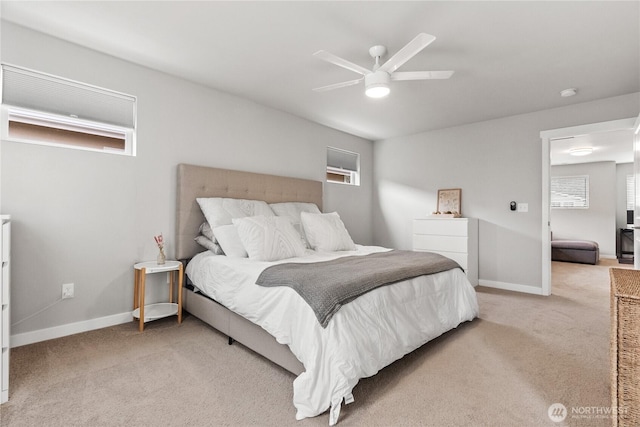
(18, 340)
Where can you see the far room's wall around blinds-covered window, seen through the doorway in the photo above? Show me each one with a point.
(598, 223)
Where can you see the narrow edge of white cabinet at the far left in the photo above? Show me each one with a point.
(5, 256)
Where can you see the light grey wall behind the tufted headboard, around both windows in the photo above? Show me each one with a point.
(86, 217)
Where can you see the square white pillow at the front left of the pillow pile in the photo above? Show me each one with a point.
(269, 238)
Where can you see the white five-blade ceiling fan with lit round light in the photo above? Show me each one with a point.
(377, 80)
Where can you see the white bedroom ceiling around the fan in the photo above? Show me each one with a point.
(509, 57)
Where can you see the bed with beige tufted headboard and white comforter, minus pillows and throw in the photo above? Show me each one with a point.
(275, 321)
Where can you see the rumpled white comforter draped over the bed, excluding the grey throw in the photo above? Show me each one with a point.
(362, 337)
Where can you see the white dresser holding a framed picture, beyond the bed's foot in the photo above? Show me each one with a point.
(455, 238)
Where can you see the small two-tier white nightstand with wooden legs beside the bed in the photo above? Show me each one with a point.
(148, 312)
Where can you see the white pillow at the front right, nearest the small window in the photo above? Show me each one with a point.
(326, 232)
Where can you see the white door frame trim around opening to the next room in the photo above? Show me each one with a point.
(560, 134)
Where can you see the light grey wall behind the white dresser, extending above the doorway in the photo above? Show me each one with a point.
(494, 162)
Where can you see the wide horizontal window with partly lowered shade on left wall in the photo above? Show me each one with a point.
(43, 109)
